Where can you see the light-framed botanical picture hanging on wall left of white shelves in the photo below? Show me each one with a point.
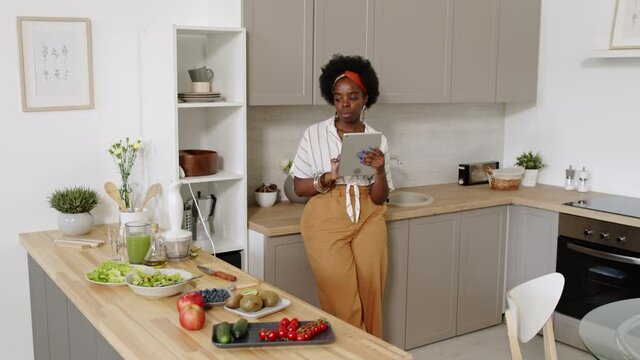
(55, 63)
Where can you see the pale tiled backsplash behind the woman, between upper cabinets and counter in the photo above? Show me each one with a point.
(430, 139)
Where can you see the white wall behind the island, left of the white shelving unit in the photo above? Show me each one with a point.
(48, 150)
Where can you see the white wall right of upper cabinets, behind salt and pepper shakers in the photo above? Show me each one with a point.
(588, 112)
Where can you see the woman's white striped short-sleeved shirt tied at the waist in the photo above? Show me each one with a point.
(320, 143)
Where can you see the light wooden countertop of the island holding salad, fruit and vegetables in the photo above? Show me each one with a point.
(139, 328)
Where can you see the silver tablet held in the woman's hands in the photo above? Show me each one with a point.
(352, 146)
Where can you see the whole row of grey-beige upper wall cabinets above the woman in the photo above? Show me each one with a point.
(435, 51)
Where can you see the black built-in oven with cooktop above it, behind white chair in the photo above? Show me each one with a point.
(600, 261)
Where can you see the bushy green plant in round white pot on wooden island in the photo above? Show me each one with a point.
(74, 204)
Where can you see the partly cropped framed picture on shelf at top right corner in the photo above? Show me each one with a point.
(626, 25)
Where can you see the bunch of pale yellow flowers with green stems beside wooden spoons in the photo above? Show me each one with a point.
(124, 153)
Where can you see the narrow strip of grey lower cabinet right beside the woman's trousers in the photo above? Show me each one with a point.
(394, 301)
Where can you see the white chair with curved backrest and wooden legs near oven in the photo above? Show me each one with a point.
(531, 305)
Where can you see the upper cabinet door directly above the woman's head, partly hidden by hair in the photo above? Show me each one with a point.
(344, 27)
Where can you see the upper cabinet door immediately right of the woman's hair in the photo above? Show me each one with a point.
(412, 50)
